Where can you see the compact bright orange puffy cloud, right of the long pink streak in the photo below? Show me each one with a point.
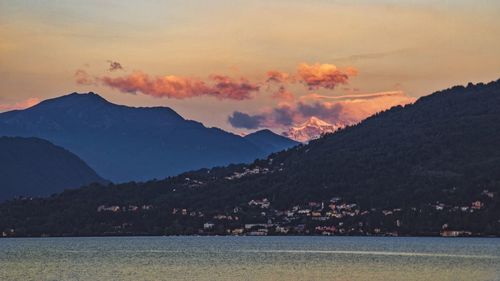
(328, 76)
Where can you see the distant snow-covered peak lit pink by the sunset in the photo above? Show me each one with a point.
(311, 129)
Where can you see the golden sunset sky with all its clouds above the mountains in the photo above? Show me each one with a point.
(246, 65)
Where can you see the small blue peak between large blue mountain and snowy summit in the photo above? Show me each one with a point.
(270, 142)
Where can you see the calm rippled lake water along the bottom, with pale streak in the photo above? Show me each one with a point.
(249, 258)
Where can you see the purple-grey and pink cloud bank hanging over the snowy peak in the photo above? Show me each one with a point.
(344, 110)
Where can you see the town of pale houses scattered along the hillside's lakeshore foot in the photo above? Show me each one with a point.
(333, 217)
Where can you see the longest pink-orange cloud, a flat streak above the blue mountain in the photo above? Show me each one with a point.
(178, 87)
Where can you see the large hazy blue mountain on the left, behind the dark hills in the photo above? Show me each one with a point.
(127, 143)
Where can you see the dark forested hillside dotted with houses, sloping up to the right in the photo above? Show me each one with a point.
(429, 168)
